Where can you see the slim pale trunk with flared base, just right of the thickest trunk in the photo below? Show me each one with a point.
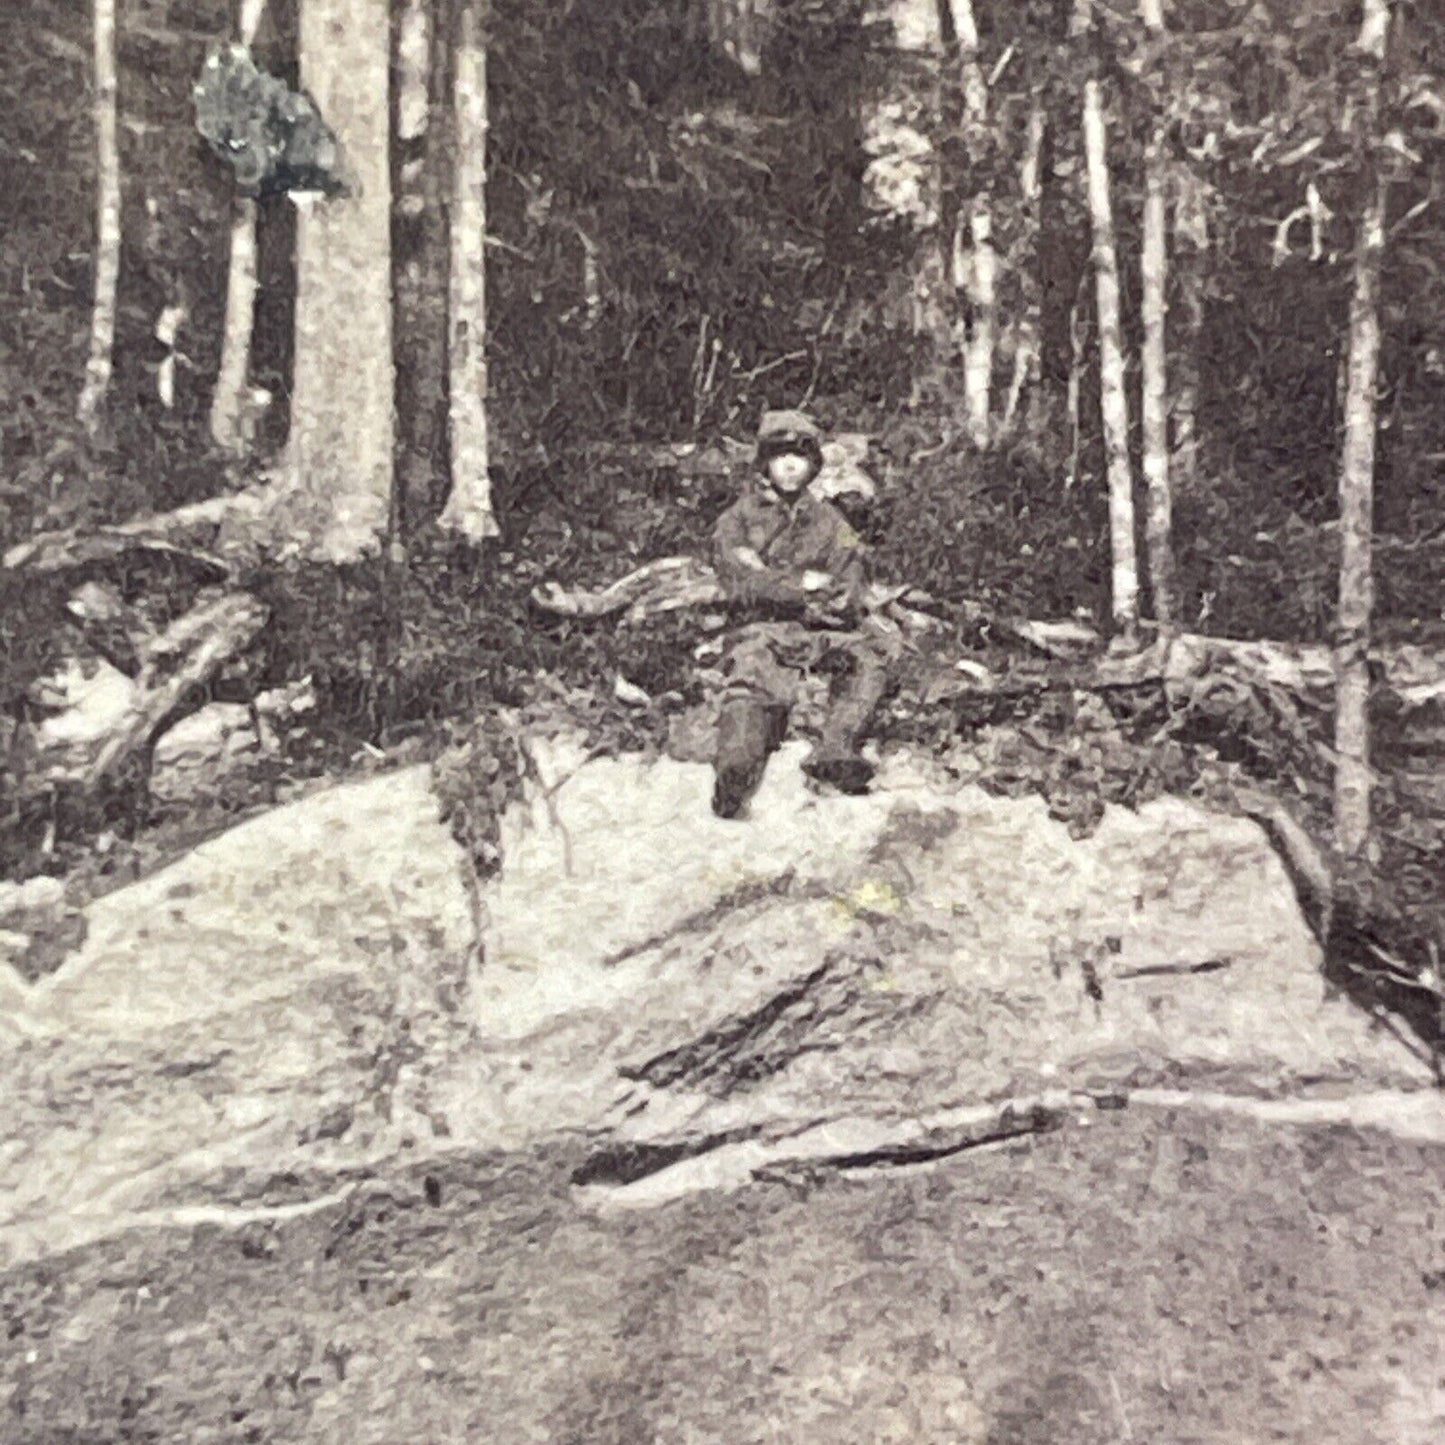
(469, 509)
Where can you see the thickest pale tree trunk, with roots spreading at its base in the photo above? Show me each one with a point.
(342, 423)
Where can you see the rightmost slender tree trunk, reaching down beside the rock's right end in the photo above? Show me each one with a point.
(1353, 772)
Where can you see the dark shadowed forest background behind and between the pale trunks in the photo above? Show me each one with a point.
(739, 262)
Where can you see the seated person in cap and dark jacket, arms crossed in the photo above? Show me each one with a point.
(794, 574)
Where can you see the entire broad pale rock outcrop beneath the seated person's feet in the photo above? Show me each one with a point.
(694, 1001)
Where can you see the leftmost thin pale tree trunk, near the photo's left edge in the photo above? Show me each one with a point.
(108, 219)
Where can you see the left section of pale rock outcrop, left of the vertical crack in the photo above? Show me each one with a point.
(248, 1019)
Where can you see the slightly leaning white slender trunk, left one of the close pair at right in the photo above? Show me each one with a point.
(1113, 391)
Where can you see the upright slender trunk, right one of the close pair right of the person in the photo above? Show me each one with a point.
(1154, 362)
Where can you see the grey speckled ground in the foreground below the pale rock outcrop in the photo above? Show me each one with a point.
(1154, 1277)
